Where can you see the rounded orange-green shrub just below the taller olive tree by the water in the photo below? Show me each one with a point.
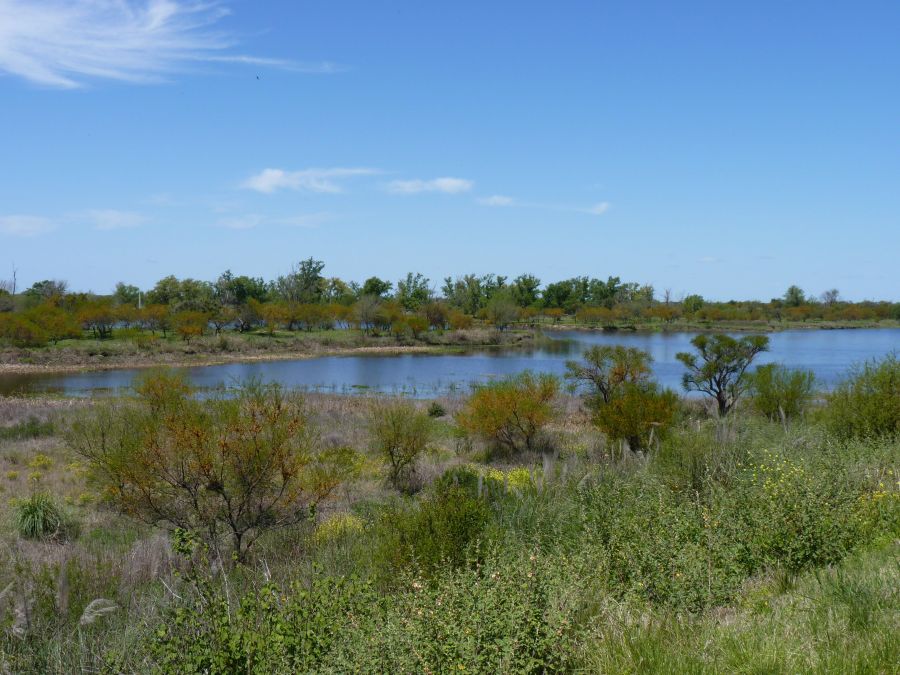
(637, 414)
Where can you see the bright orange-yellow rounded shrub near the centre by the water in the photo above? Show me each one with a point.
(511, 413)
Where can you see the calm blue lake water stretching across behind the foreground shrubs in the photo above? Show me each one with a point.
(828, 353)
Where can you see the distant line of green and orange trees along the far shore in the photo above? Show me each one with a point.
(306, 299)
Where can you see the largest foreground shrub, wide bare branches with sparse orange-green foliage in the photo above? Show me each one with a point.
(228, 469)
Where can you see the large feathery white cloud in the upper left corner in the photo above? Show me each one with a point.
(59, 43)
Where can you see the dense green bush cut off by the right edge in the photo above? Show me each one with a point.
(868, 402)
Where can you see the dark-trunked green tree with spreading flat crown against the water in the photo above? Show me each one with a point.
(718, 367)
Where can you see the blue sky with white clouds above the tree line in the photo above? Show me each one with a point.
(729, 149)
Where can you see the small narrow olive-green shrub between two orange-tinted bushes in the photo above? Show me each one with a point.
(400, 435)
